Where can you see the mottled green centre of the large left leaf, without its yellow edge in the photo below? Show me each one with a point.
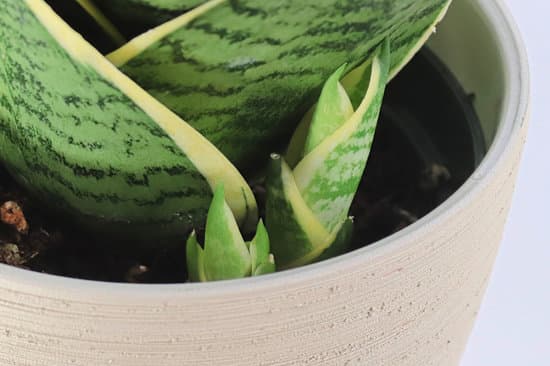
(78, 142)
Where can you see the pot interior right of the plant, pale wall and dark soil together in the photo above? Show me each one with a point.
(449, 127)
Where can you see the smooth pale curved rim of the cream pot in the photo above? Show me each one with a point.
(515, 109)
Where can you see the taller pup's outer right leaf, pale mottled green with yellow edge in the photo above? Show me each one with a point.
(329, 175)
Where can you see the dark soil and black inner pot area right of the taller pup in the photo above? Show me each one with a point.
(429, 141)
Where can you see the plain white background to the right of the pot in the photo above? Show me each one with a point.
(513, 327)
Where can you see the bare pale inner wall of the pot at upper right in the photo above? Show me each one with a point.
(470, 47)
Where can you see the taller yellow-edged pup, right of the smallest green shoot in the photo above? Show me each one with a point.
(307, 207)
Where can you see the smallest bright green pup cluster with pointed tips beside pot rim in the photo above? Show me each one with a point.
(226, 255)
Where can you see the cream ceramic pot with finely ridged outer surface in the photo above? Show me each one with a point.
(410, 299)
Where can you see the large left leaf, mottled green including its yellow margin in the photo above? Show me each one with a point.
(85, 138)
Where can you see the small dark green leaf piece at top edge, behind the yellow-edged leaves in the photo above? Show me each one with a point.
(146, 12)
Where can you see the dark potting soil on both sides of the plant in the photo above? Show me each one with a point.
(428, 142)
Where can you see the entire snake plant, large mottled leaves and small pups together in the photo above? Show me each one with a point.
(134, 143)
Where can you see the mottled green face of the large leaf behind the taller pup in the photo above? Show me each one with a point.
(244, 73)
